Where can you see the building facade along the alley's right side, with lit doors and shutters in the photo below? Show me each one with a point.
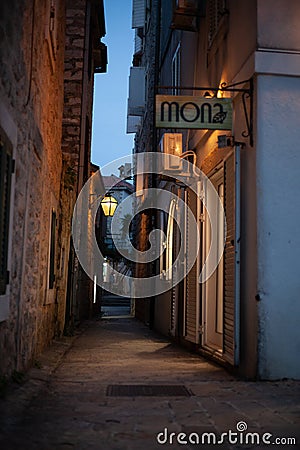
(244, 315)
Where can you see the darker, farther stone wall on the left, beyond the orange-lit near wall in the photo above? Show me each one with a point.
(81, 34)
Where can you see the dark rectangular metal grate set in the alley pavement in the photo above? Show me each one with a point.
(140, 390)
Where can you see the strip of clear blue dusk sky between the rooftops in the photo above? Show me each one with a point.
(110, 140)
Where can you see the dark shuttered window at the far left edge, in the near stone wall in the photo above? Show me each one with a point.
(6, 169)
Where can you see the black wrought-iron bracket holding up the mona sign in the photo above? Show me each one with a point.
(247, 93)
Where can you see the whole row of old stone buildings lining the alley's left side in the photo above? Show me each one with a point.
(49, 53)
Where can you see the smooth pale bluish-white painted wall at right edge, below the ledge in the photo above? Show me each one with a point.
(278, 225)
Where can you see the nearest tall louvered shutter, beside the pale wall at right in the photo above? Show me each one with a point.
(231, 258)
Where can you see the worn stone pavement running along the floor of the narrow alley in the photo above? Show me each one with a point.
(64, 404)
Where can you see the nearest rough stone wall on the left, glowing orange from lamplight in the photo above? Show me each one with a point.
(31, 93)
